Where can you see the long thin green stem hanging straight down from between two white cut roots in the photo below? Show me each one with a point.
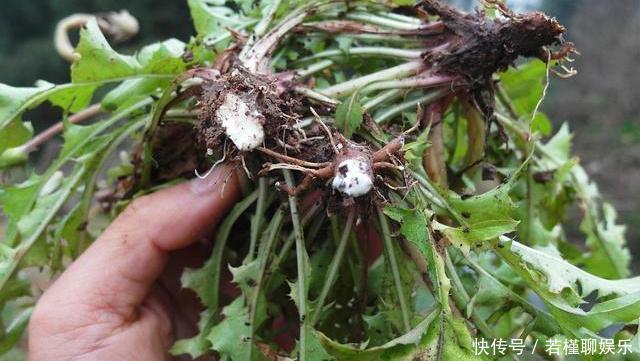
(301, 261)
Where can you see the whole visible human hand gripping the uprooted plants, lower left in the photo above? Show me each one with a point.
(106, 305)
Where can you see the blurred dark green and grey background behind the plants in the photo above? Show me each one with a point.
(601, 103)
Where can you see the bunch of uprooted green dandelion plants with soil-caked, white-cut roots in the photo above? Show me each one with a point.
(399, 198)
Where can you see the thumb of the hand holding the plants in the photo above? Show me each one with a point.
(118, 270)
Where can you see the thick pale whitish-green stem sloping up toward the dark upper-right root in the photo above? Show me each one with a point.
(397, 72)
